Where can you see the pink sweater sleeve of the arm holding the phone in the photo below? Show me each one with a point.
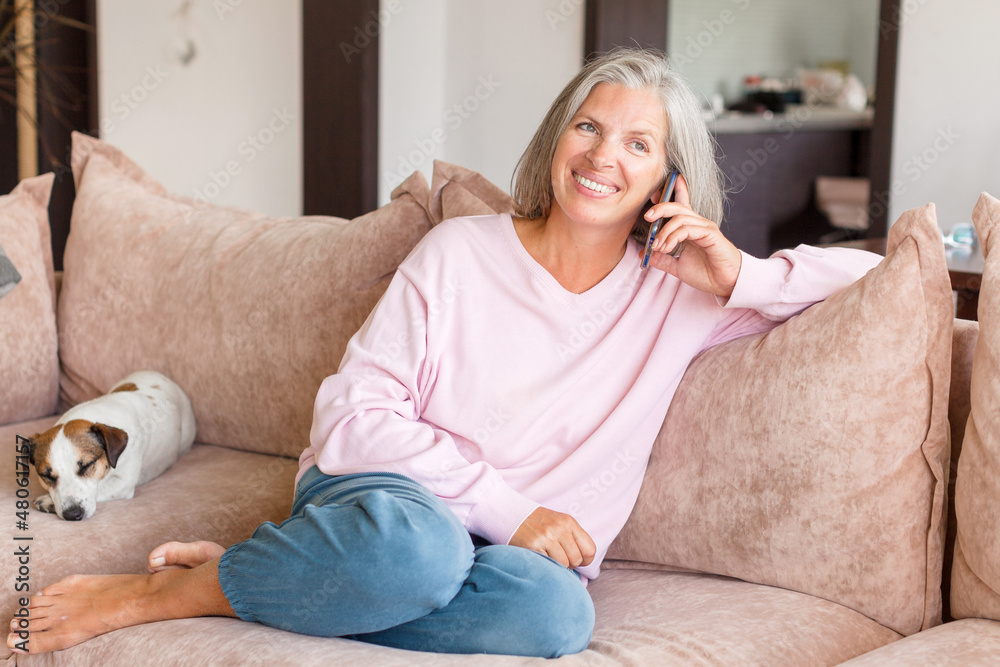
(770, 291)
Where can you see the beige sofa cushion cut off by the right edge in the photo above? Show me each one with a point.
(975, 586)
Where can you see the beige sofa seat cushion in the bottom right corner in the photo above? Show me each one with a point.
(974, 641)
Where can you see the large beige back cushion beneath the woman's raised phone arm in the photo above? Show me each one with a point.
(814, 457)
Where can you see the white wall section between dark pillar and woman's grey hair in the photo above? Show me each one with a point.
(468, 81)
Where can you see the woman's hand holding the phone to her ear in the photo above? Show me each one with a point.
(708, 261)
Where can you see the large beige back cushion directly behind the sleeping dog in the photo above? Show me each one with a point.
(248, 313)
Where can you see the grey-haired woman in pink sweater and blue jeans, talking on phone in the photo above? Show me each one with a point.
(486, 435)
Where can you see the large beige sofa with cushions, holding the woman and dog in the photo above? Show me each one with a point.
(805, 502)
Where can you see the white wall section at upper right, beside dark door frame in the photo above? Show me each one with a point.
(946, 141)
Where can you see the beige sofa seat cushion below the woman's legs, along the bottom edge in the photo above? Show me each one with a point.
(643, 618)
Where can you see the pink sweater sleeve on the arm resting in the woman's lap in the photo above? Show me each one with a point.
(367, 418)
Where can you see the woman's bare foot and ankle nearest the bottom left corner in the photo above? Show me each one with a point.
(81, 607)
